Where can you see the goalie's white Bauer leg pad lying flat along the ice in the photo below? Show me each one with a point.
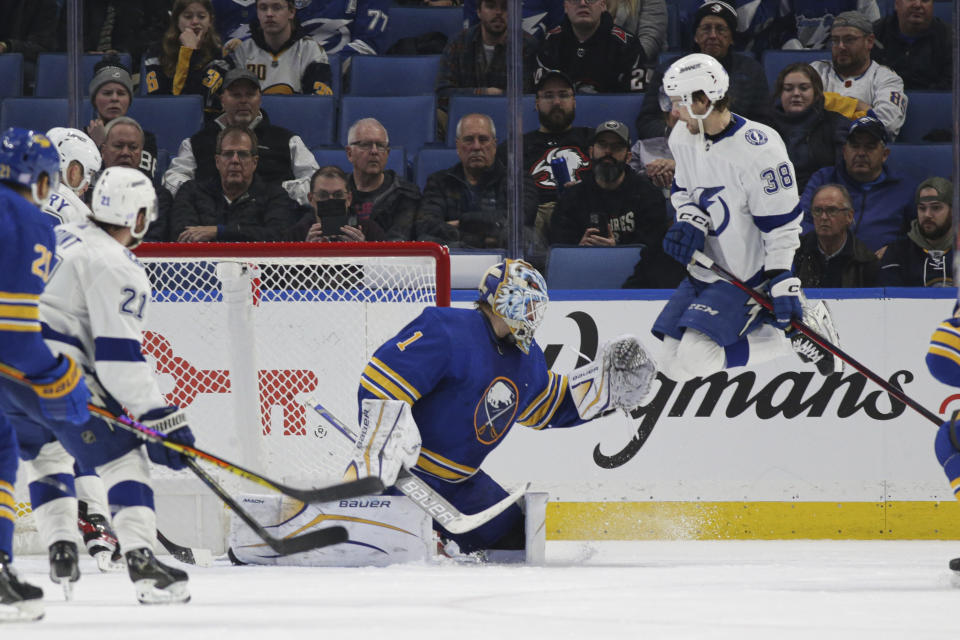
(383, 530)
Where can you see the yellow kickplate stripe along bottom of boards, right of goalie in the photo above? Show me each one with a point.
(753, 520)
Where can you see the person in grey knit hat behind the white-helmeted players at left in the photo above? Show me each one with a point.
(111, 92)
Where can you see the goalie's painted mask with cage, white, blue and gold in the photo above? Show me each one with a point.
(517, 293)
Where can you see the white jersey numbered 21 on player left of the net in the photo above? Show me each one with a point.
(93, 310)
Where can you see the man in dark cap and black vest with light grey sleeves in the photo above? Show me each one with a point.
(283, 155)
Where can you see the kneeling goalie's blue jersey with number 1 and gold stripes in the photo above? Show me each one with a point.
(466, 388)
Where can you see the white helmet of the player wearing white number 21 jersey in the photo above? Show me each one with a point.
(120, 194)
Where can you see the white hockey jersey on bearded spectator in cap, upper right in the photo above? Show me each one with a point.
(879, 86)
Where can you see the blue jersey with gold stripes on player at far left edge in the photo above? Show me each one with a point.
(27, 255)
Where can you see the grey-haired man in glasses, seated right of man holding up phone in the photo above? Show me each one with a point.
(379, 194)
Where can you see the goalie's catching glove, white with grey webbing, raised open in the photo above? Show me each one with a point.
(620, 378)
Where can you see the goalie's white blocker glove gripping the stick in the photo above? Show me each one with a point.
(388, 440)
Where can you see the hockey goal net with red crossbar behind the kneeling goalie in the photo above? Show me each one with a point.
(242, 334)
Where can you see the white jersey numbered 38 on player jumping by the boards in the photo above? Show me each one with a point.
(744, 180)
